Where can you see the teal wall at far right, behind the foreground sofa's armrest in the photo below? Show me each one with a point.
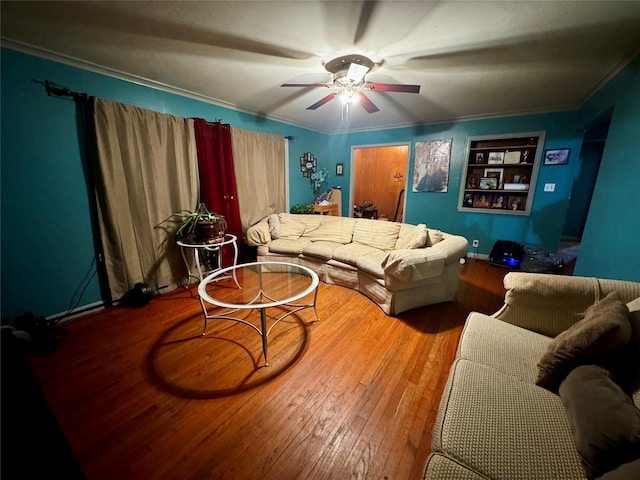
(611, 235)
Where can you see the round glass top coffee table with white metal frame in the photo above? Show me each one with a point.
(262, 285)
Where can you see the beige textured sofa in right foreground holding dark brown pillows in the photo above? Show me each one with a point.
(495, 422)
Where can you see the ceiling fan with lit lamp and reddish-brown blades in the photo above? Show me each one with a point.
(349, 83)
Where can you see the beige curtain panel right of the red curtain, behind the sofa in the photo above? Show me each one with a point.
(260, 162)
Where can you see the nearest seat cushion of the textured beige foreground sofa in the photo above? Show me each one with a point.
(503, 428)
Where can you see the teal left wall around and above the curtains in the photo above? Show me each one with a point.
(47, 249)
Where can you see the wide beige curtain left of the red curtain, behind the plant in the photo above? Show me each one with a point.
(147, 170)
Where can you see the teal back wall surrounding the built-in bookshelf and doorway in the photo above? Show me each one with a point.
(439, 210)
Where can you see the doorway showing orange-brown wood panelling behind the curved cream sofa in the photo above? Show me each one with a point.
(379, 177)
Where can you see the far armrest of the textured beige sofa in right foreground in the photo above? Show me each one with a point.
(549, 304)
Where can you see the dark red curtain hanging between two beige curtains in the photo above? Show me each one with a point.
(217, 176)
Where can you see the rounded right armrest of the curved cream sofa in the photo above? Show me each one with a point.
(416, 264)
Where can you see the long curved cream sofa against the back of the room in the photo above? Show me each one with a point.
(399, 266)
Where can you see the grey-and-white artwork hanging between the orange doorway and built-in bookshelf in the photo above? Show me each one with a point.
(431, 169)
